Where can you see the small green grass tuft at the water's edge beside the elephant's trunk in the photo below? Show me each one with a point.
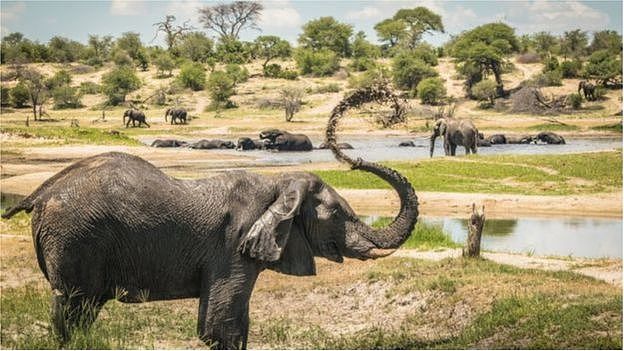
(425, 236)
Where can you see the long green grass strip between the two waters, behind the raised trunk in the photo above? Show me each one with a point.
(511, 174)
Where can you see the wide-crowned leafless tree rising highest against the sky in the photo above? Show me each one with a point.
(227, 20)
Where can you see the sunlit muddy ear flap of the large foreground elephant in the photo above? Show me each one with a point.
(268, 236)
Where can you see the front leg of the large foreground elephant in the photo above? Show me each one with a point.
(223, 321)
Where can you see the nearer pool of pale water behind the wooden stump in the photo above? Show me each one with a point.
(576, 237)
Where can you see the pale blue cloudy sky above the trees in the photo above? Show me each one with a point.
(41, 20)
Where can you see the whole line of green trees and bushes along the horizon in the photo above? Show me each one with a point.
(481, 55)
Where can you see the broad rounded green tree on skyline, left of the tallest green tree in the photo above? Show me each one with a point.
(327, 33)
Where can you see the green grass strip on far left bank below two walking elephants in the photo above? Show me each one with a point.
(73, 135)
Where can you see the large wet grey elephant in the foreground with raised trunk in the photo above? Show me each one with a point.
(114, 226)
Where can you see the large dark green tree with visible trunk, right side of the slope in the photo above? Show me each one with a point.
(487, 49)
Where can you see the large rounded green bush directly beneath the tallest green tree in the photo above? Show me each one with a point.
(408, 71)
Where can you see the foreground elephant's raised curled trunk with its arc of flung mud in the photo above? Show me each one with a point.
(389, 238)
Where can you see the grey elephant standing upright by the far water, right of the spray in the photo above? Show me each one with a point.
(456, 132)
